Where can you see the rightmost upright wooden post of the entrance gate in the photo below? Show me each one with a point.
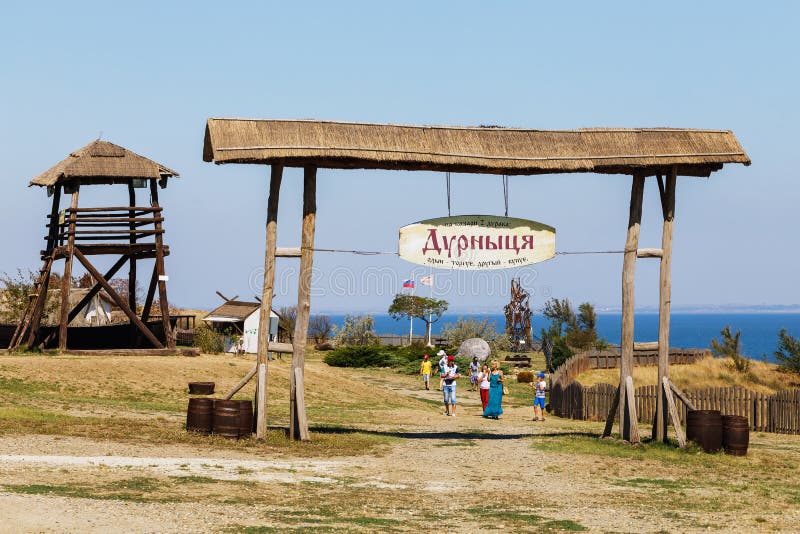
(665, 292)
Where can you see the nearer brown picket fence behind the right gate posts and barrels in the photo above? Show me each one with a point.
(778, 413)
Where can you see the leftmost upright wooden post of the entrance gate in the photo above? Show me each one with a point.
(267, 291)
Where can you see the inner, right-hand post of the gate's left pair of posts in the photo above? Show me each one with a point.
(298, 425)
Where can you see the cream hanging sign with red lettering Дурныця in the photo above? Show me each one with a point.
(477, 242)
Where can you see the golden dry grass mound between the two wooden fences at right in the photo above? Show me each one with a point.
(710, 372)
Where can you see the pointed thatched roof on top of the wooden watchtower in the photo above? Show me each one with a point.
(101, 162)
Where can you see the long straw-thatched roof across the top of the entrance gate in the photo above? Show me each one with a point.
(488, 150)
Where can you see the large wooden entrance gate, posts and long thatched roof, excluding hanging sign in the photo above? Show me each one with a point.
(311, 144)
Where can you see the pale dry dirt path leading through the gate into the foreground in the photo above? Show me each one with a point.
(455, 474)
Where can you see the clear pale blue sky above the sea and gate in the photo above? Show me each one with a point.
(147, 75)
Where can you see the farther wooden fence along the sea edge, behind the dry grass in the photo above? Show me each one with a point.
(584, 361)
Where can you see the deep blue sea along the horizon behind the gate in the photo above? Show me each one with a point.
(687, 330)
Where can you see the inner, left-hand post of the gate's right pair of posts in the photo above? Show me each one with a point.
(628, 285)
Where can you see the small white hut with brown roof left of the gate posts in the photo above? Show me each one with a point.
(238, 322)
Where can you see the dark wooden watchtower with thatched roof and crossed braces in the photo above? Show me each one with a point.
(132, 232)
